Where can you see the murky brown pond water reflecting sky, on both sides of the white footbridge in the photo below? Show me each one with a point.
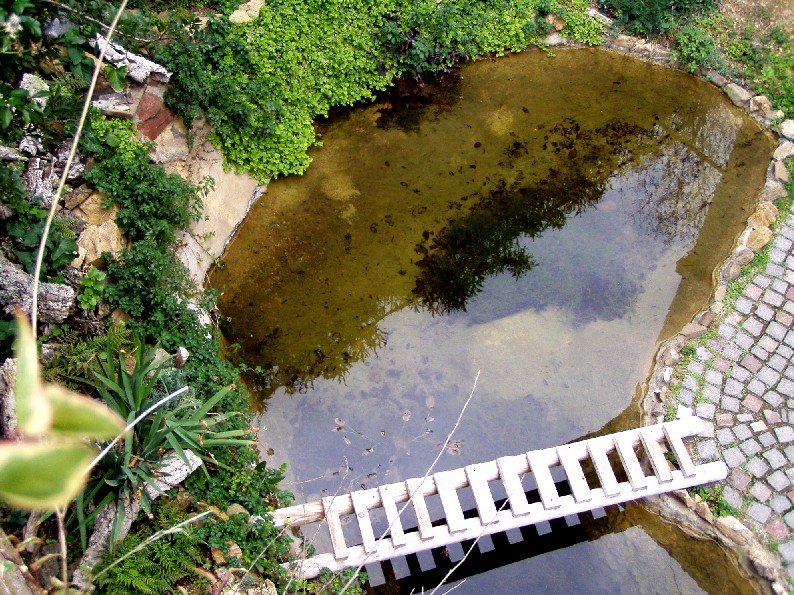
(525, 231)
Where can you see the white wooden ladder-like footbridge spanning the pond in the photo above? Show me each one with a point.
(628, 465)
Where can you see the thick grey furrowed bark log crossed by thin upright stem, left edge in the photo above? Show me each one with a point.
(56, 301)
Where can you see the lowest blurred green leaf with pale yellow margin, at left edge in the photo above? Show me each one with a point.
(42, 476)
